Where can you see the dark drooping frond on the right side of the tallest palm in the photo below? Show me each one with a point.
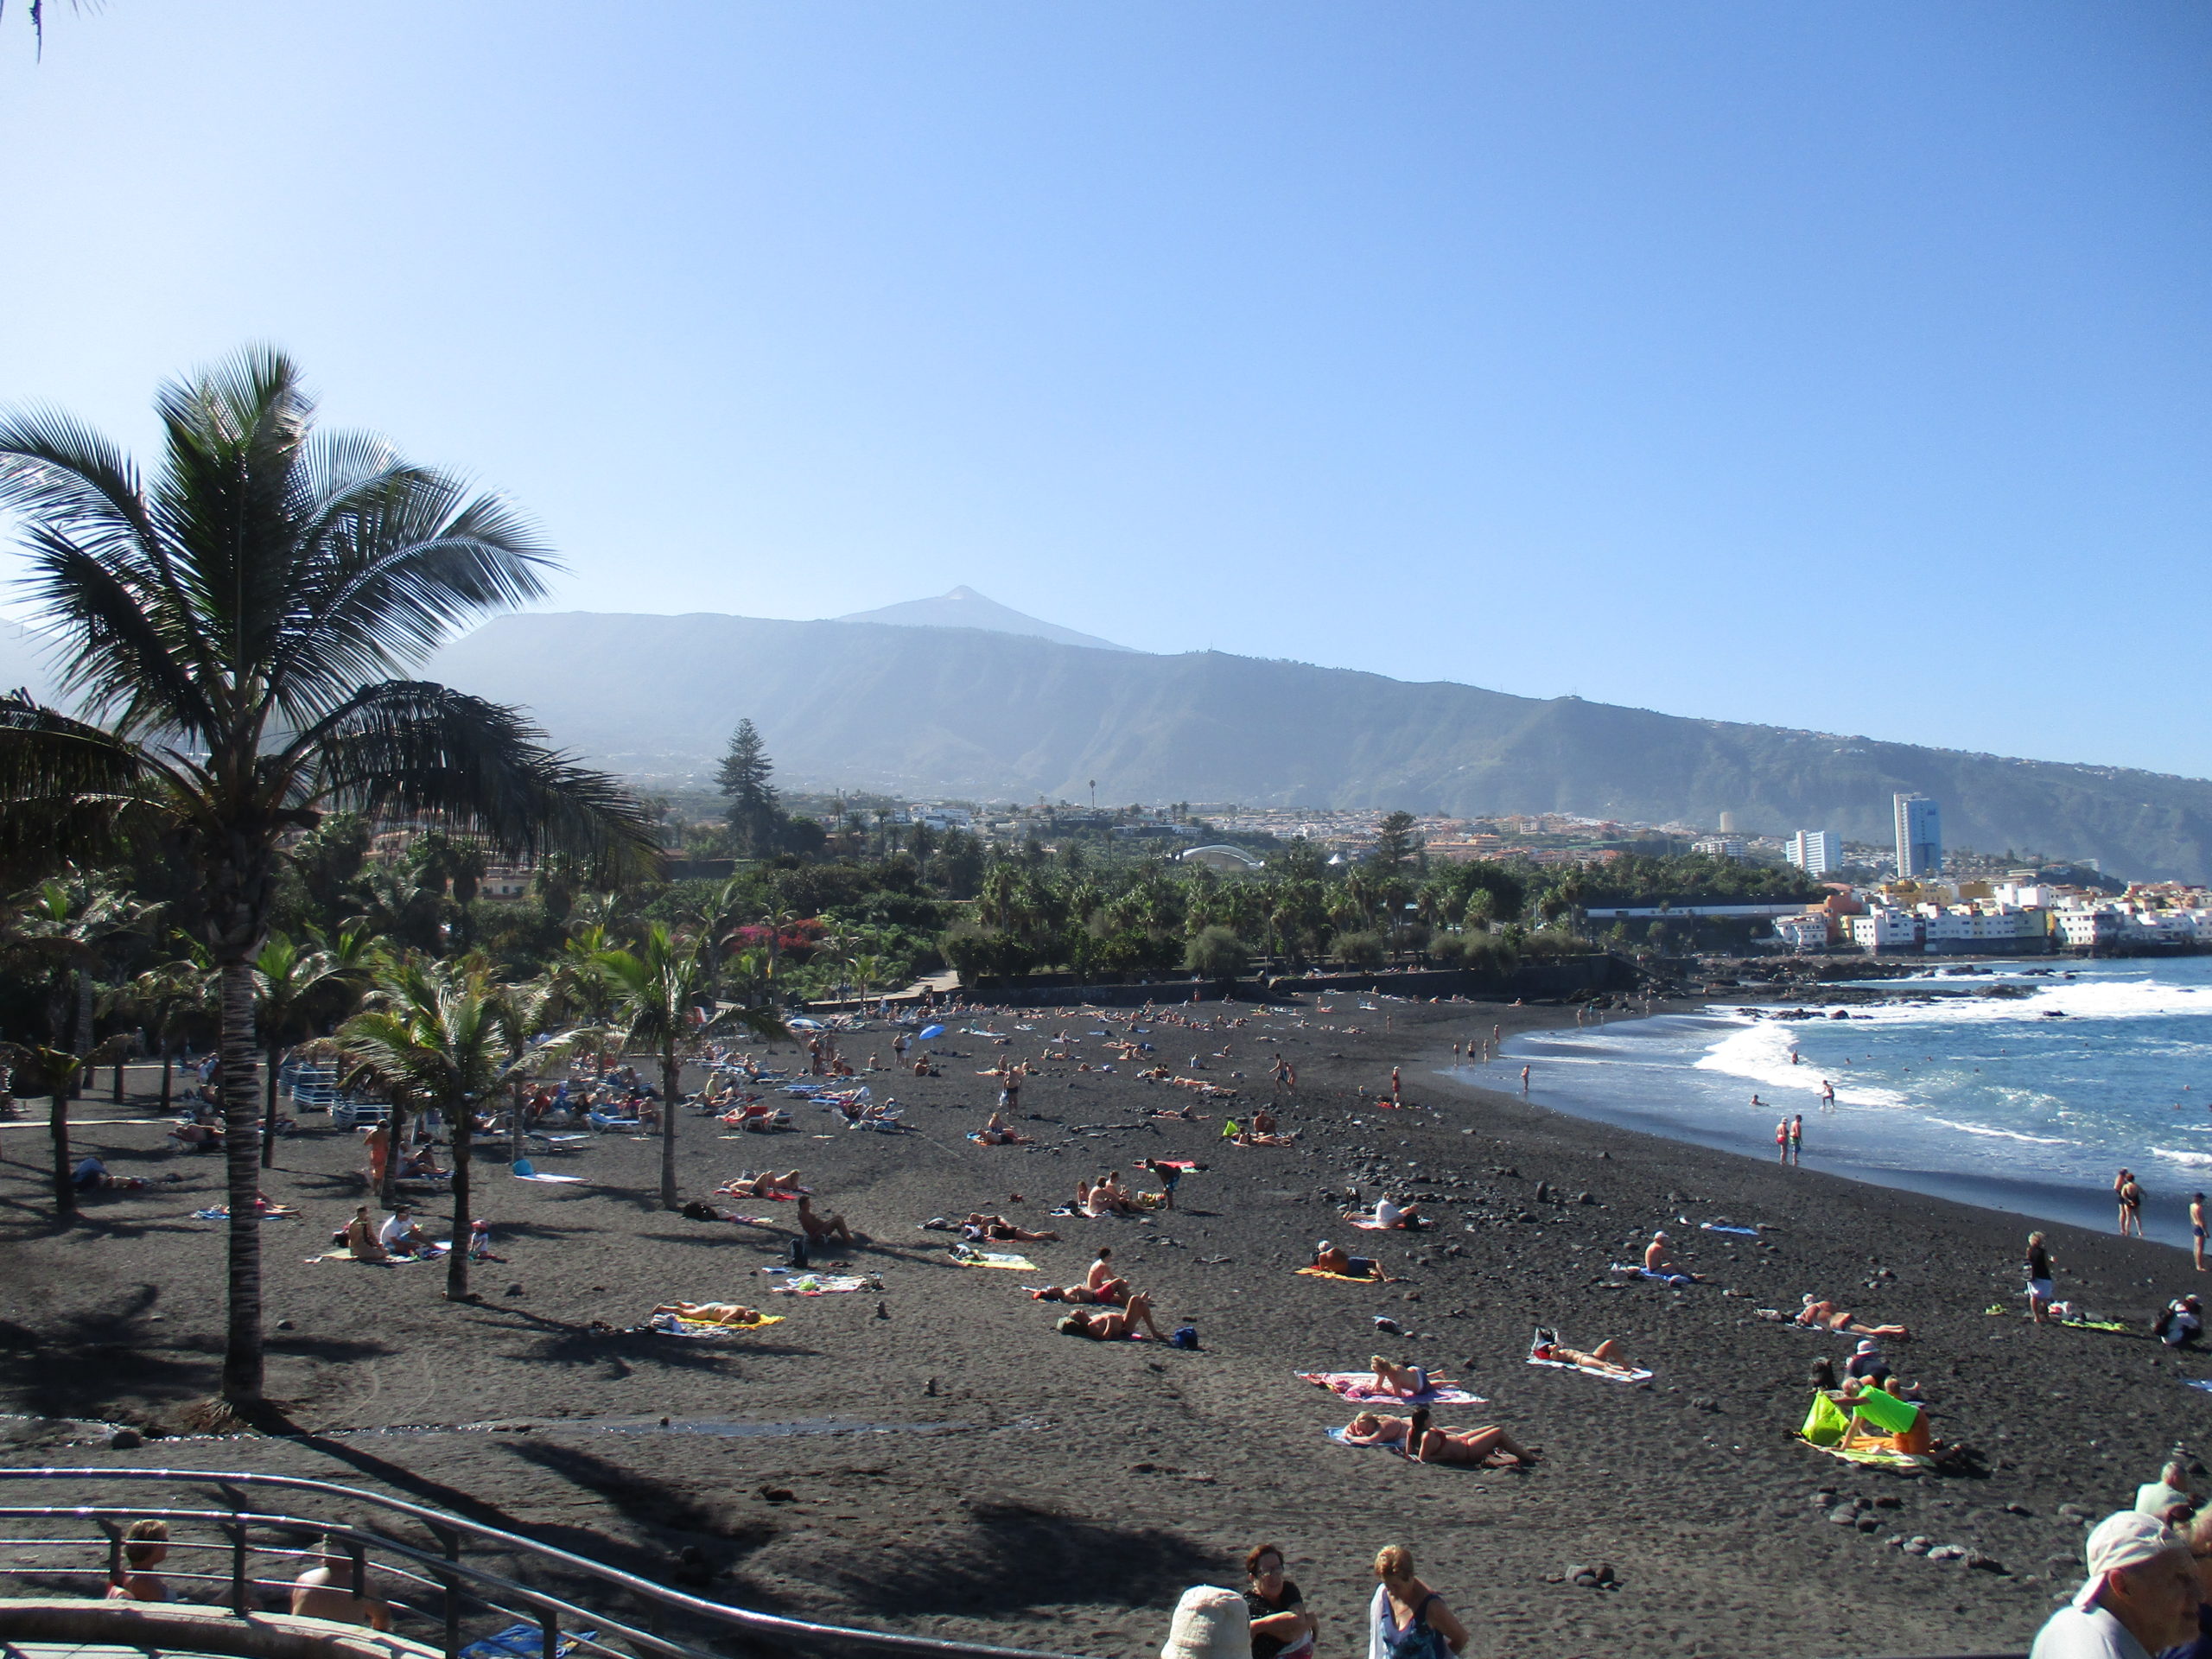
(413, 747)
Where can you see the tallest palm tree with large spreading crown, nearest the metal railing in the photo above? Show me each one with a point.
(231, 632)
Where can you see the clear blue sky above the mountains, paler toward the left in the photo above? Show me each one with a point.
(1835, 366)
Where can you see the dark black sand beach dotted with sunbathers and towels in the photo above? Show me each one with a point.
(963, 1470)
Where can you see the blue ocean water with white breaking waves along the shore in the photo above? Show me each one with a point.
(2023, 1105)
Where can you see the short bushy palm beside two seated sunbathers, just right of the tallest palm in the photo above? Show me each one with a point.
(444, 1039)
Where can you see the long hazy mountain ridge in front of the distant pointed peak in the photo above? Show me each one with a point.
(970, 713)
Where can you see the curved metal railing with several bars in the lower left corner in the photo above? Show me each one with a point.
(448, 1585)
